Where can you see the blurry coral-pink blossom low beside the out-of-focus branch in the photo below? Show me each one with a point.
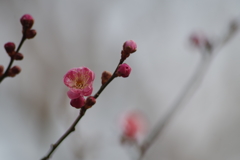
(133, 125)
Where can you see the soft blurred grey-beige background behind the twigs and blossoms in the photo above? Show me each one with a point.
(35, 110)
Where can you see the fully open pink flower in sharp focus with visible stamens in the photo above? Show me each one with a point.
(79, 80)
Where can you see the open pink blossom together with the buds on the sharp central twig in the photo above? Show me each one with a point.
(80, 80)
